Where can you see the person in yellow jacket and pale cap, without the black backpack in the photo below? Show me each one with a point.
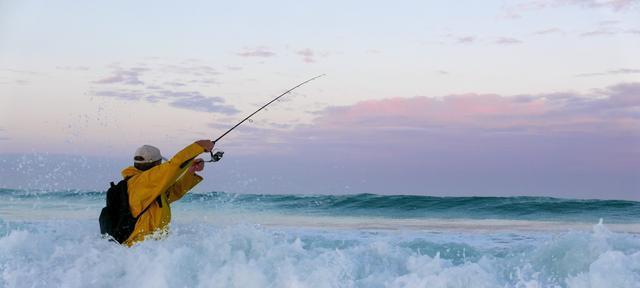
(156, 185)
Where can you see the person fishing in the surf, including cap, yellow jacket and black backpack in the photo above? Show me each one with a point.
(151, 187)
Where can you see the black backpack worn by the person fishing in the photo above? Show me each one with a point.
(116, 219)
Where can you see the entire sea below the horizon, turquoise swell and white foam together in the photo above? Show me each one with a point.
(51, 239)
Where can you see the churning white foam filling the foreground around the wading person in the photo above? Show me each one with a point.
(69, 253)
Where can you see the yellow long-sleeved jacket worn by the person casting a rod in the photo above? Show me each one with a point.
(167, 180)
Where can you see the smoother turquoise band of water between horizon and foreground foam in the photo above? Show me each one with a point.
(370, 205)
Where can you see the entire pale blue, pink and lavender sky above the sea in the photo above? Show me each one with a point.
(441, 98)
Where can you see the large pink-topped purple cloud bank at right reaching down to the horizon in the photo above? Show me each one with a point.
(562, 144)
